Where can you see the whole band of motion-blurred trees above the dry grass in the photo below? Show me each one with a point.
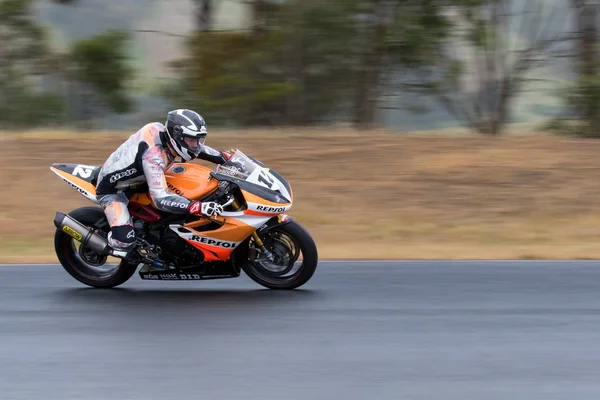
(404, 64)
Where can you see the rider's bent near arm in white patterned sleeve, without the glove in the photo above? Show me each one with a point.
(154, 166)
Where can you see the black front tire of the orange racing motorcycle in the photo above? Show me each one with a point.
(286, 242)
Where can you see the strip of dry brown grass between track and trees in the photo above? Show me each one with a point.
(373, 195)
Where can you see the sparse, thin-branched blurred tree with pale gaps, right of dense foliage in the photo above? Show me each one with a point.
(482, 63)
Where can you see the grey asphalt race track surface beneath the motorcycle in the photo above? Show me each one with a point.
(409, 330)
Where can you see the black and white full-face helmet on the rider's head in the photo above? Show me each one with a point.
(186, 132)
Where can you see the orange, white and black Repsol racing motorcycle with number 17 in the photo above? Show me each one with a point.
(253, 233)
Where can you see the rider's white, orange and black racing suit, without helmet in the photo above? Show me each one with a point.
(141, 159)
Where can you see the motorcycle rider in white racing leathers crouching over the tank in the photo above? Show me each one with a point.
(143, 158)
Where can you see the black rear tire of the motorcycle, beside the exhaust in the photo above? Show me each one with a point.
(82, 264)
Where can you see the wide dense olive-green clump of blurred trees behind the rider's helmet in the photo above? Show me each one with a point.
(304, 62)
